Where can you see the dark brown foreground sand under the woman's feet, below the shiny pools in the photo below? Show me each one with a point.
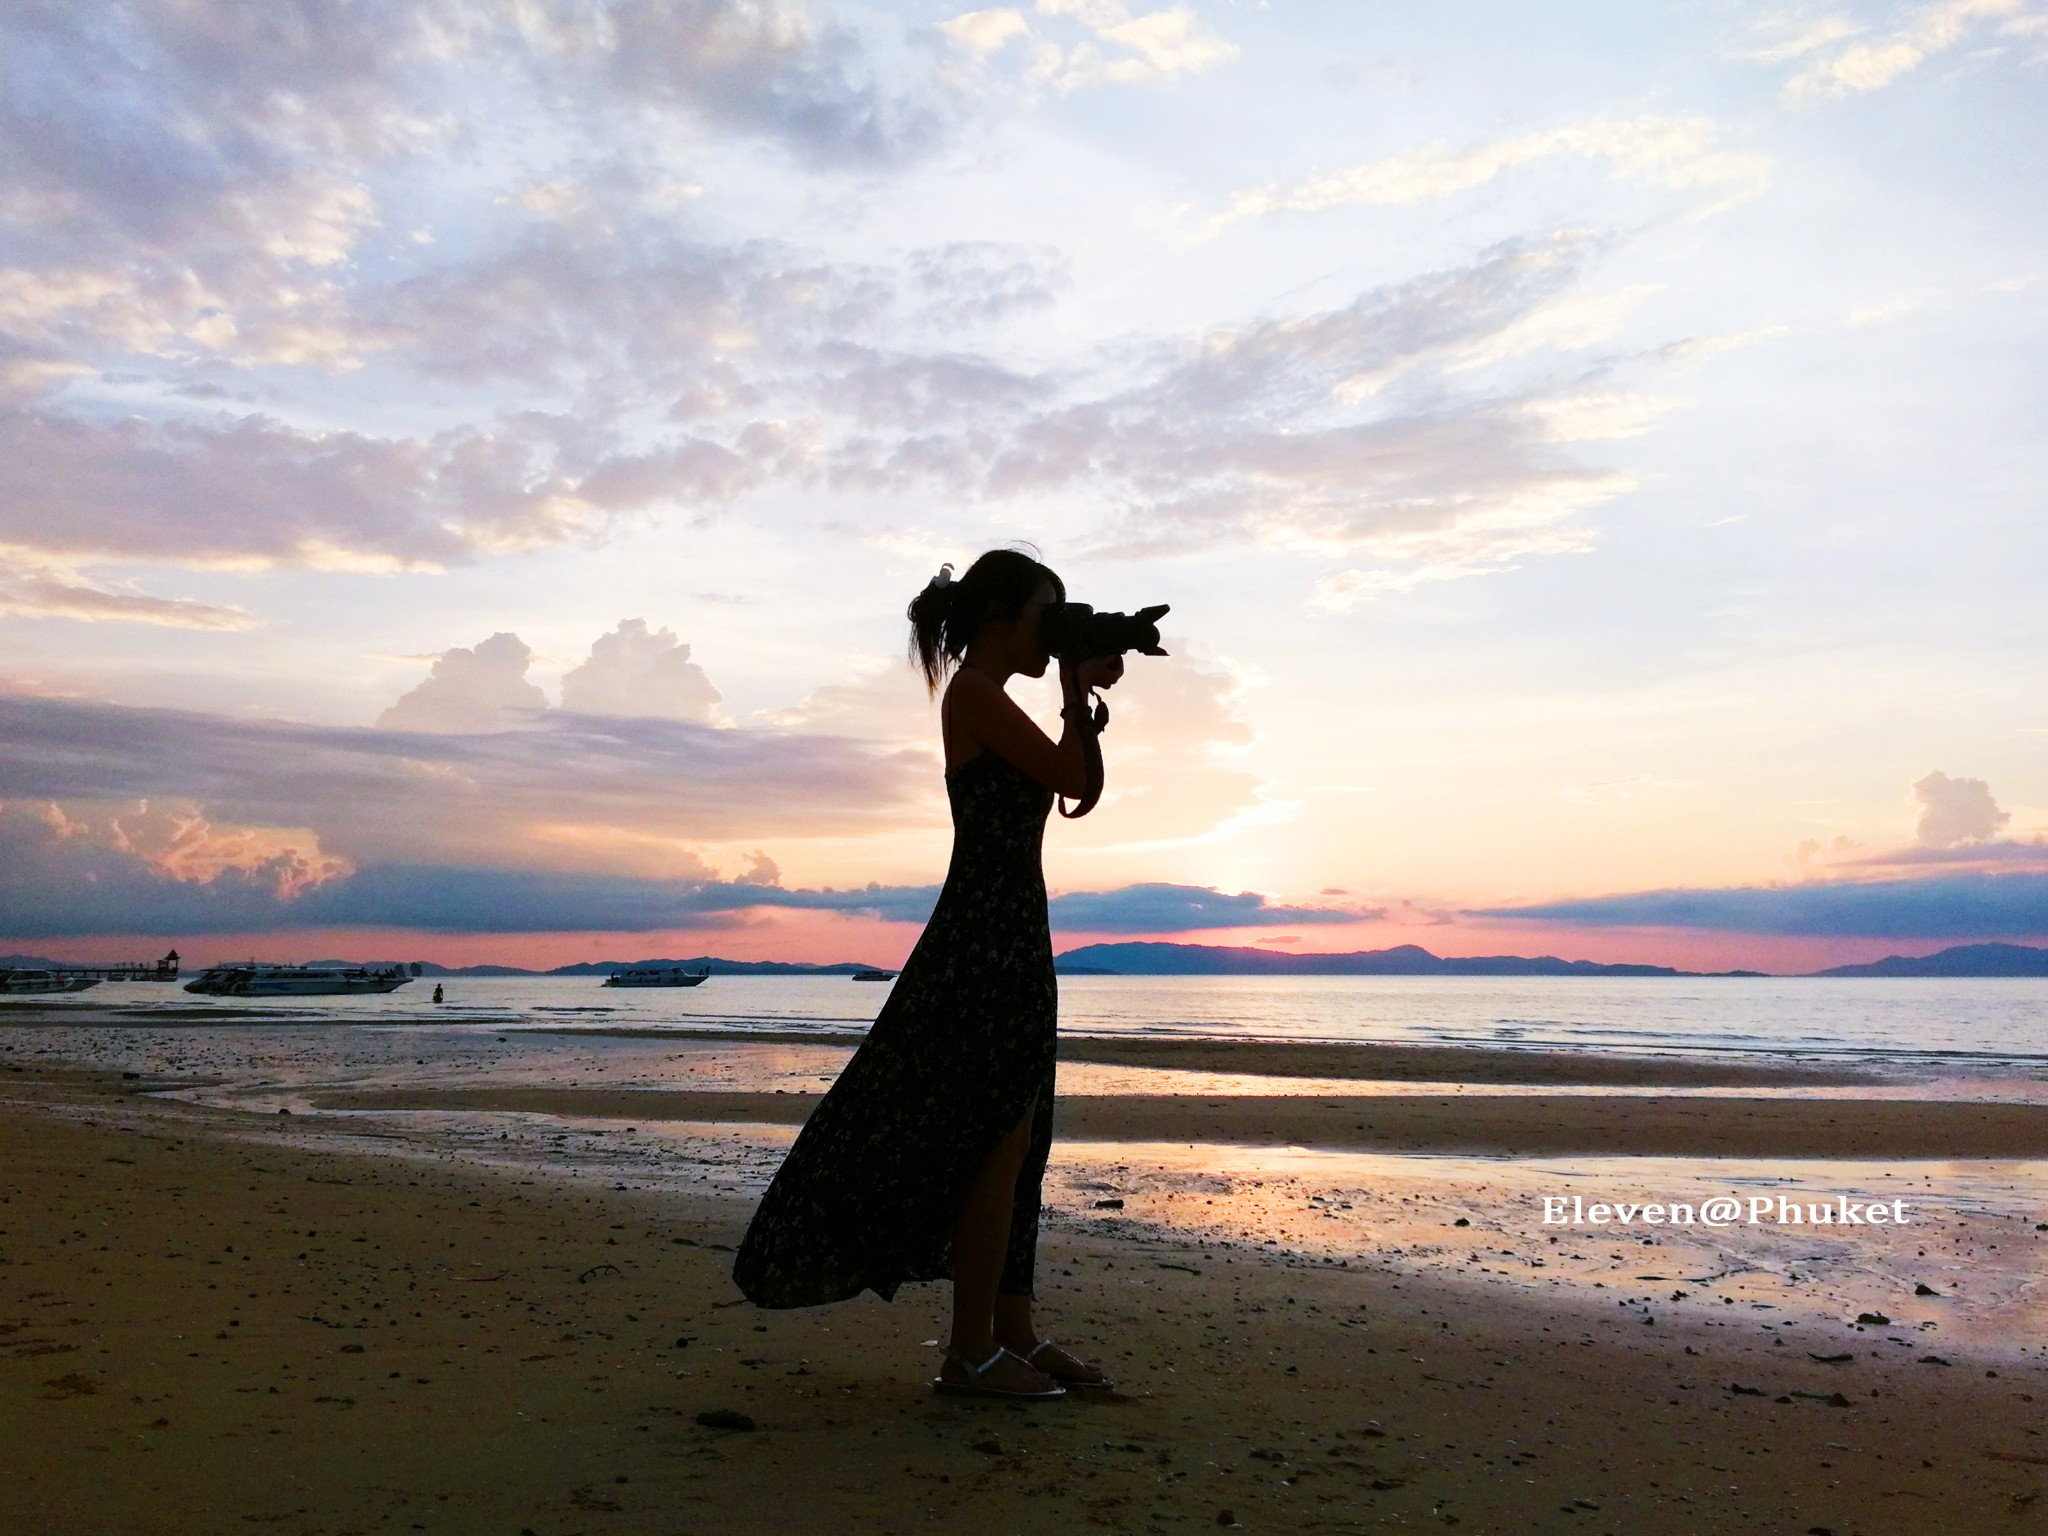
(222, 1322)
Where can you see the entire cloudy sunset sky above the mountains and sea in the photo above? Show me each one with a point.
(464, 468)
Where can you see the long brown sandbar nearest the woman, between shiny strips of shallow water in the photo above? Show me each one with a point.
(1437, 1123)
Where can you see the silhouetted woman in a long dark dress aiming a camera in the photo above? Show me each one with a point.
(929, 1154)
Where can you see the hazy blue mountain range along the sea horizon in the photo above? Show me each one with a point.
(1148, 959)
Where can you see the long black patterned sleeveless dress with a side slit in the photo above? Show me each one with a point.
(964, 1046)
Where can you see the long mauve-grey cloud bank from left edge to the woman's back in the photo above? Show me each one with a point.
(603, 794)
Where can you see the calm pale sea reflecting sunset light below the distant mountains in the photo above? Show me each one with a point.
(2004, 1019)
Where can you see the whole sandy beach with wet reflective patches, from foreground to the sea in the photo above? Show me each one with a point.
(474, 1308)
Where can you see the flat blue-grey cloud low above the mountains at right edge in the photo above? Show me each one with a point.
(1938, 908)
